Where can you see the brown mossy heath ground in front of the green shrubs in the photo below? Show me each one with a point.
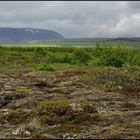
(66, 104)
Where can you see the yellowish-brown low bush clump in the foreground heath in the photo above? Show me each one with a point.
(59, 111)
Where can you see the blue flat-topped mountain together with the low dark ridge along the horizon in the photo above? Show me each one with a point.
(20, 35)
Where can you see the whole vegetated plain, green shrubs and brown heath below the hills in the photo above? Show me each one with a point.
(69, 91)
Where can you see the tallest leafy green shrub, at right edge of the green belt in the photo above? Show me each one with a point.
(116, 57)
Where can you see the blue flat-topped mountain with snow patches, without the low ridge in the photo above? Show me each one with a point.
(15, 35)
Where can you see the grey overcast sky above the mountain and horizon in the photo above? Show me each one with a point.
(74, 18)
